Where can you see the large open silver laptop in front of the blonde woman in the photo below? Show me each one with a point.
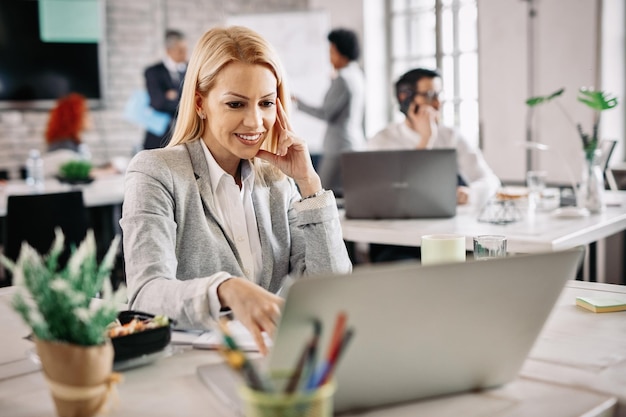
(420, 331)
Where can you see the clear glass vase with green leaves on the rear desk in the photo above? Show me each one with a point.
(590, 193)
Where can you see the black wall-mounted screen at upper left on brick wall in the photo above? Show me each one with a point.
(34, 73)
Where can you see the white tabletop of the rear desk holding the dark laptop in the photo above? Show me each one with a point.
(539, 233)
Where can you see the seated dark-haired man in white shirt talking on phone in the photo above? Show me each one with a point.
(419, 93)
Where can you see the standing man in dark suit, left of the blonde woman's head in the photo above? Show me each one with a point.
(164, 82)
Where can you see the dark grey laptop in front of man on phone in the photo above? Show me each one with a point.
(399, 184)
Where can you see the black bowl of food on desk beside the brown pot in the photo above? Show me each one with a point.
(140, 343)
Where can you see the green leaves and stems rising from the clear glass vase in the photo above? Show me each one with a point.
(597, 100)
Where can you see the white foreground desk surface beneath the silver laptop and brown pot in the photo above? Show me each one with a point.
(170, 386)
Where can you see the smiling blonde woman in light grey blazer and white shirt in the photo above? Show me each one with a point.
(218, 218)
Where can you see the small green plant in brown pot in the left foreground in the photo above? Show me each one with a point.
(68, 324)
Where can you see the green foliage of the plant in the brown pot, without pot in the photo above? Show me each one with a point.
(59, 305)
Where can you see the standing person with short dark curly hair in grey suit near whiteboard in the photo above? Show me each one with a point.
(343, 107)
